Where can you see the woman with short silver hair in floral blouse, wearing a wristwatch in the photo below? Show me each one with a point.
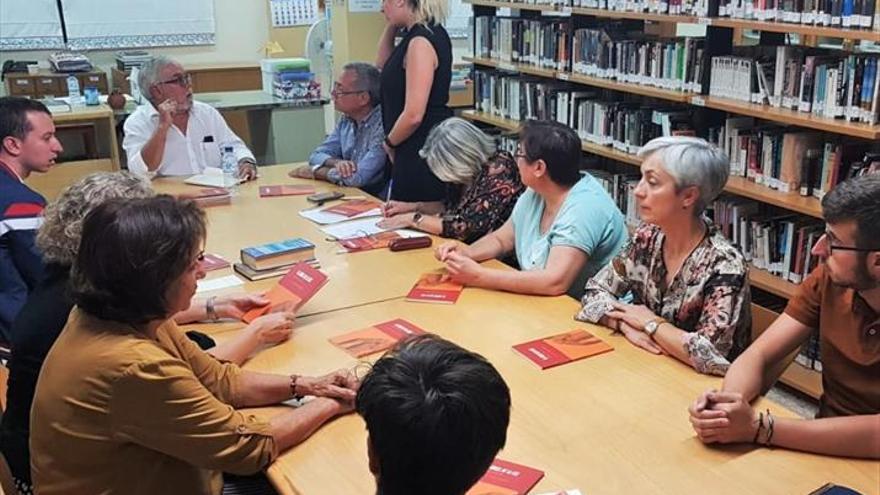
(689, 284)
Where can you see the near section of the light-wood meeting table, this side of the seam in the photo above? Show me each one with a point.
(612, 424)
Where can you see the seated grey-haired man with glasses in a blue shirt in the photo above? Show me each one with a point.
(352, 154)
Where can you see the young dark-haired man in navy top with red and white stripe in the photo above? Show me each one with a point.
(27, 144)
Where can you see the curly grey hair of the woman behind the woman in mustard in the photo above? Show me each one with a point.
(58, 238)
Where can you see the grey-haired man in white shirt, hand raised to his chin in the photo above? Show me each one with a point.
(174, 135)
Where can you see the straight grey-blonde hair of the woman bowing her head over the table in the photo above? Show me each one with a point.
(456, 150)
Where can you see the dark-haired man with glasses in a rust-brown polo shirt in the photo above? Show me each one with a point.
(841, 298)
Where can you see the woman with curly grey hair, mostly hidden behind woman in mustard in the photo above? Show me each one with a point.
(46, 311)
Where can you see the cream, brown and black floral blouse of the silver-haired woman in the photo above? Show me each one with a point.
(708, 298)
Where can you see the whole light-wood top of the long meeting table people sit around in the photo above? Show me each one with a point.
(615, 423)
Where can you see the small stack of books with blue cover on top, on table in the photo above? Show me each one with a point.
(275, 259)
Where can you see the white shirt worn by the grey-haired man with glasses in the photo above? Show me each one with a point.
(185, 154)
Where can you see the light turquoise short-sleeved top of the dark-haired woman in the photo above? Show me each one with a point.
(588, 220)
